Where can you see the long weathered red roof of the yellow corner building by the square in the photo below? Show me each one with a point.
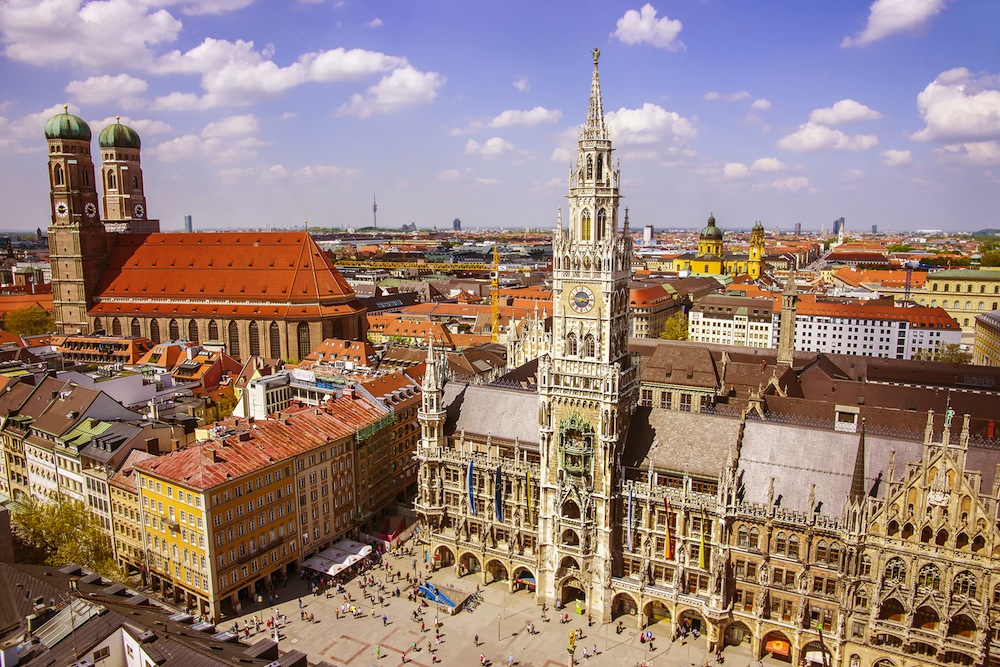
(201, 466)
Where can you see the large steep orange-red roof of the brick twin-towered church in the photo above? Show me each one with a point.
(282, 267)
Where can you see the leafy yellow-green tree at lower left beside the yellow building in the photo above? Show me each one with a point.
(65, 531)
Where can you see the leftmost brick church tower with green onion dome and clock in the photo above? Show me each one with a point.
(77, 240)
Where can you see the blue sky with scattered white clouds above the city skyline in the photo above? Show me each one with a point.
(262, 113)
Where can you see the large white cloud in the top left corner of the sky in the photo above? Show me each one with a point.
(84, 33)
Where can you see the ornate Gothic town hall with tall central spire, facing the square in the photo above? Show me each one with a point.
(703, 488)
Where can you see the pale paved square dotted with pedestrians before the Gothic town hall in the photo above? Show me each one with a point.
(349, 642)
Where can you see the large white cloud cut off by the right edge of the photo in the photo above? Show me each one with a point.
(958, 107)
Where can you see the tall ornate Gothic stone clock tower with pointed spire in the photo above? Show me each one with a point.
(588, 381)
